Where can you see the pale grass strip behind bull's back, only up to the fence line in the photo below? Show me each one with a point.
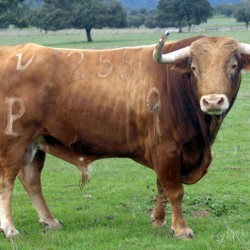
(112, 38)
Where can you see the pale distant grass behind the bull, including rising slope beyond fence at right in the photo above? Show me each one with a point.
(107, 38)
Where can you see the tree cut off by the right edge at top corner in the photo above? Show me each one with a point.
(242, 12)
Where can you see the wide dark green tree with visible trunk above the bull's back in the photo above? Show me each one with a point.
(79, 14)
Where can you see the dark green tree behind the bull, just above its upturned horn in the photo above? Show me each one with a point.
(179, 13)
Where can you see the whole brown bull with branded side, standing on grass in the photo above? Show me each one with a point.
(84, 105)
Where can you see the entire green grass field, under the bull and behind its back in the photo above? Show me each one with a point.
(112, 211)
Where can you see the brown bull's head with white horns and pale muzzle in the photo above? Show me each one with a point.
(215, 64)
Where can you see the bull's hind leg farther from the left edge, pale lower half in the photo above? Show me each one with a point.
(30, 176)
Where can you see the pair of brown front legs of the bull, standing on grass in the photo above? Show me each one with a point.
(170, 188)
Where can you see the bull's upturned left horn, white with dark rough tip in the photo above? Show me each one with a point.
(171, 57)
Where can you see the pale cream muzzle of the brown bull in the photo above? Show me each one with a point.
(214, 104)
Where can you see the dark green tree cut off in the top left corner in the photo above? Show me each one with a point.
(12, 12)
